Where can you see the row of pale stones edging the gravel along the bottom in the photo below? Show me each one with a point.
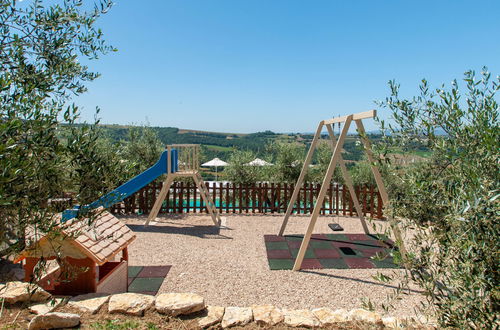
(178, 304)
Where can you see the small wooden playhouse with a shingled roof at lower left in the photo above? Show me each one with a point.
(91, 256)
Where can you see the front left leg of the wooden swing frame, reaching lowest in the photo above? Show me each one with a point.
(324, 187)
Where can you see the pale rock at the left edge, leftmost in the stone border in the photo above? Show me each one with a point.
(14, 292)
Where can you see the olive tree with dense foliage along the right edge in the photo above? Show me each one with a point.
(452, 199)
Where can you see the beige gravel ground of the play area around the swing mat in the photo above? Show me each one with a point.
(229, 266)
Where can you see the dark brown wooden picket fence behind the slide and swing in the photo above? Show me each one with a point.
(262, 198)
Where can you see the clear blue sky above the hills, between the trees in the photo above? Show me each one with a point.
(280, 65)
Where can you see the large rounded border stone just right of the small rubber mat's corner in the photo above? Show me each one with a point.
(174, 304)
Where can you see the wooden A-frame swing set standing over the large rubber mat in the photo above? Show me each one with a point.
(337, 159)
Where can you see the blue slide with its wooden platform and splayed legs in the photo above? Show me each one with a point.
(178, 161)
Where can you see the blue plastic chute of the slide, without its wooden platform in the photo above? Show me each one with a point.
(128, 188)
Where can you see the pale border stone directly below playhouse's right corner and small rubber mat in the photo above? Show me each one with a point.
(130, 303)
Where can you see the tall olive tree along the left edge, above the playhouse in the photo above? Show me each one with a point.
(41, 53)
